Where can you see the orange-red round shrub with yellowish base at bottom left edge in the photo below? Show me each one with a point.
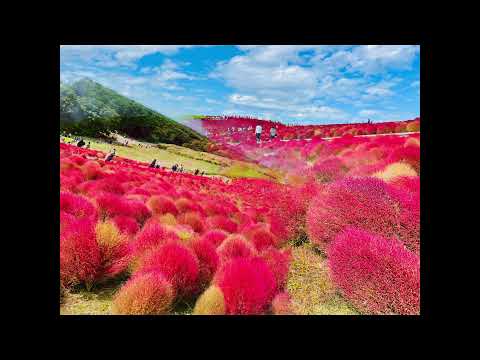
(145, 294)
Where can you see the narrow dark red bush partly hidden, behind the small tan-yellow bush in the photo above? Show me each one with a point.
(208, 260)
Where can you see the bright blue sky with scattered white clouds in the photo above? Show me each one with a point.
(301, 84)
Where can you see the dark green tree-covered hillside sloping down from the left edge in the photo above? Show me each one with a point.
(90, 109)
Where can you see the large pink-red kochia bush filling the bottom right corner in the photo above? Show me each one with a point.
(377, 274)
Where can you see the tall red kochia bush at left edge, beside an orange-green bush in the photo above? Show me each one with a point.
(80, 256)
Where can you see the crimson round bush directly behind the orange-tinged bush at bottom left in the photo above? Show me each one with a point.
(177, 263)
